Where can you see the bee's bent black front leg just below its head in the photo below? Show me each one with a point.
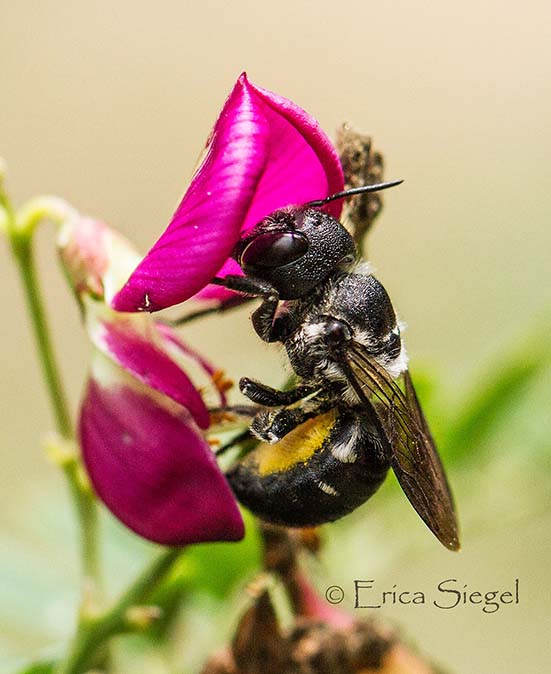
(267, 326)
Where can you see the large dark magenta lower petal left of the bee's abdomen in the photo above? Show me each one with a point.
(153, 469)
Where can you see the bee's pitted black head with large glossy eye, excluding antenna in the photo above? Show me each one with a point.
(295, 250)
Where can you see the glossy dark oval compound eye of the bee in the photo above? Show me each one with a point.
(274, 249)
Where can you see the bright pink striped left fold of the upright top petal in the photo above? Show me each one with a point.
(206, 224)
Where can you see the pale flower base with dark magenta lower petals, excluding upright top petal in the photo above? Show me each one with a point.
(142, 419)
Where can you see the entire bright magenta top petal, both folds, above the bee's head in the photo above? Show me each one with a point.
(265, 153)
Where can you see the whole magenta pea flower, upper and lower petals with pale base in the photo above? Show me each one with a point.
(143, 421)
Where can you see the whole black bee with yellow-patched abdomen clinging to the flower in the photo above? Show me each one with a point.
(327, 444)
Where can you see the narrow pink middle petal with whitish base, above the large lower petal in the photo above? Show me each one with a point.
(139, 355)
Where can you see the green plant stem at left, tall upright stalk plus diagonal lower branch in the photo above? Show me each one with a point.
(93, 632)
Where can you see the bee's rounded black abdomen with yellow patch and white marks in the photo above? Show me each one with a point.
(322, 470)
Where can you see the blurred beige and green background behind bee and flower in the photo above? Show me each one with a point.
(108, 106)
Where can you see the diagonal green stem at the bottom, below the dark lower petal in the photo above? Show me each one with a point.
(93, 633)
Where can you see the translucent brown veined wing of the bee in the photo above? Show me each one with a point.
(413, 454)
